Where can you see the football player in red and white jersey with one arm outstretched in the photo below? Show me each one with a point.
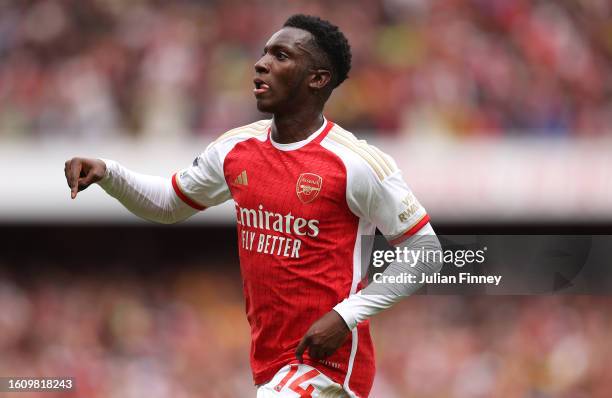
(305, 191)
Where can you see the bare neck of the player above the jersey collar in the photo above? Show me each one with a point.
(296, 126)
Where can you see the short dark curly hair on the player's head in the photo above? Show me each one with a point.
(328, 38)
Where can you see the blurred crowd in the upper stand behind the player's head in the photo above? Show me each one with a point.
(99, 68)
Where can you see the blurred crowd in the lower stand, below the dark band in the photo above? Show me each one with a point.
(185, 335)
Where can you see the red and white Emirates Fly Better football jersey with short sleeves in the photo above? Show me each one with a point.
(301, 209)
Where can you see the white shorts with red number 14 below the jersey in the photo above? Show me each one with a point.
(300, 381)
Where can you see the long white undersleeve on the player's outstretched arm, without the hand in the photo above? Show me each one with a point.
(149, 197)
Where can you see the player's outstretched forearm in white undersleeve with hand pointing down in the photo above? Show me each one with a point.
(149, 197)
